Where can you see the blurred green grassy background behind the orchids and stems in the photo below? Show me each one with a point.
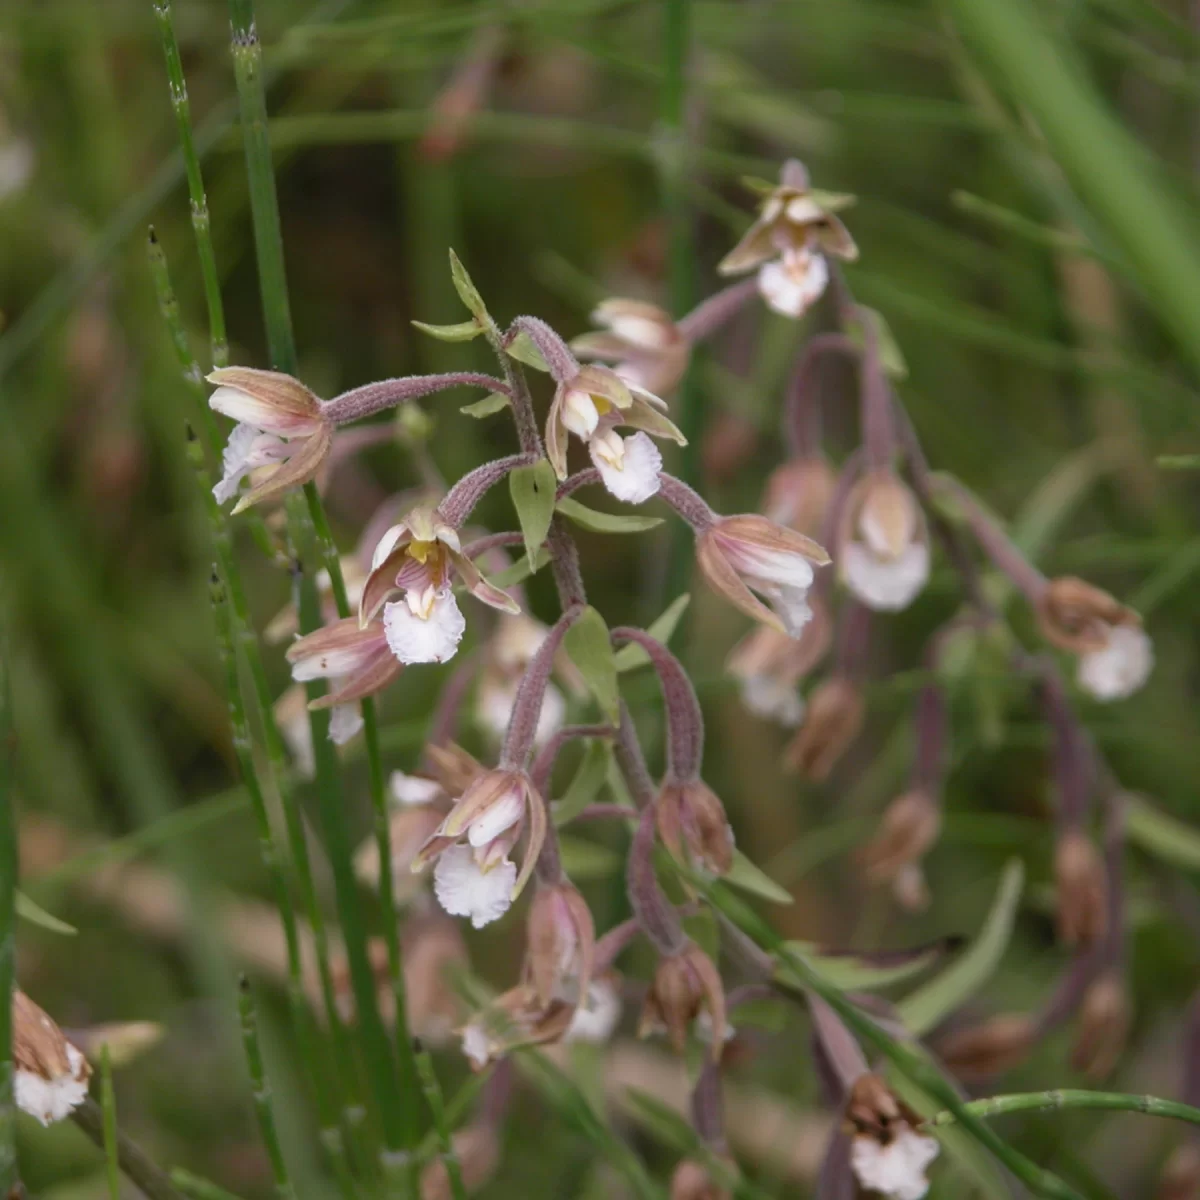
(1043, 314)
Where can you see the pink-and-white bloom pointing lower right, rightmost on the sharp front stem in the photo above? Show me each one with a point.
(748, 554)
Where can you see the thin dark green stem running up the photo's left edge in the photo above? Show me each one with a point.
(9, 1175)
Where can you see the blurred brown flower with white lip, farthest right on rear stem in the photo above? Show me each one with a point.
(1115, 655)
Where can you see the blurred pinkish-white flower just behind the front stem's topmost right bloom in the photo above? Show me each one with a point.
(643, 343)
